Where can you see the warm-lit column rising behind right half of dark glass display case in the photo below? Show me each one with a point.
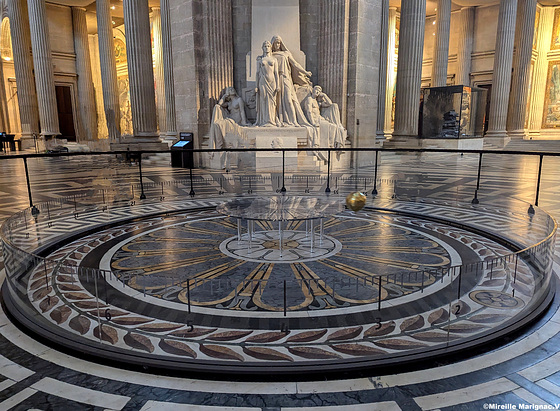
(464, 52)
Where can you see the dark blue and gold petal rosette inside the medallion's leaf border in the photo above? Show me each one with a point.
(185, 262)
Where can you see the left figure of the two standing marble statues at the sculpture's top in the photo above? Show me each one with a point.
(267, 88)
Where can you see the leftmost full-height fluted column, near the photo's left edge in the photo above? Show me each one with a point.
(23, 66)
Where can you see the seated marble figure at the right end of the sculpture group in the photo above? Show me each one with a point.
(323, 114)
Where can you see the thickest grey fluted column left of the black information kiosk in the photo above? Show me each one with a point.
(140, 69)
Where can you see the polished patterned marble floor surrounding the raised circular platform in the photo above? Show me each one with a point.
(525, 370)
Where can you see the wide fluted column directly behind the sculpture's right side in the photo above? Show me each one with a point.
(333, 51)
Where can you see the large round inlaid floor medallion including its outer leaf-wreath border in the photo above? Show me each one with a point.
(163, 267)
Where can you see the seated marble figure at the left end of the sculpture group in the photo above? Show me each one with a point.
(228, 118)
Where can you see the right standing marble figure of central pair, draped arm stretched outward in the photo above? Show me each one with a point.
(290, 73)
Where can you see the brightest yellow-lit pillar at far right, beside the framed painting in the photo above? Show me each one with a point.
(538, 88)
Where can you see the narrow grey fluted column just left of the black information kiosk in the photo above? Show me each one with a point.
(170, 121)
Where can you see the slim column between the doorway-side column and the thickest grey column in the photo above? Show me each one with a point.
(108, 67)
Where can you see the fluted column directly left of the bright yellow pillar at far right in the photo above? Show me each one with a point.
(524, 32)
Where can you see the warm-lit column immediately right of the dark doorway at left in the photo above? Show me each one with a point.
(86, 93)
